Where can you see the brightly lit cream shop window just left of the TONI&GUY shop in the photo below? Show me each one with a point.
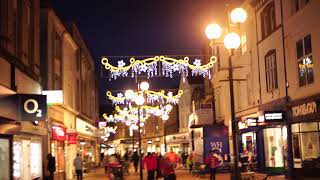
(274, 146)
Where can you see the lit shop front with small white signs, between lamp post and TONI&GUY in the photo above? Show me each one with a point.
(262, 142)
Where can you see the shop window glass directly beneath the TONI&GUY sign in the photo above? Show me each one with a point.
(306, 146)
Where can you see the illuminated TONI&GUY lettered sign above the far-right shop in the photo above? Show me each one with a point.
(304, 109)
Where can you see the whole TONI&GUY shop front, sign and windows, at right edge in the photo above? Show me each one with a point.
(304, 118)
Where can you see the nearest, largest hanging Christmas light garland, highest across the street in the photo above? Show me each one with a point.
(168, 67)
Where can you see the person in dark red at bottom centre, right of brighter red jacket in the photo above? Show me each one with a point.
(167, 168)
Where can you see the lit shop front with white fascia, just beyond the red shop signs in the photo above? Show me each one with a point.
(87, 144)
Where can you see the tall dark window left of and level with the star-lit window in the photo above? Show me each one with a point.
(271, 71)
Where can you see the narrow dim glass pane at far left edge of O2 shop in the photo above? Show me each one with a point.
(4, 159)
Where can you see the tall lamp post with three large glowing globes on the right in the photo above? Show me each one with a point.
(231, 42)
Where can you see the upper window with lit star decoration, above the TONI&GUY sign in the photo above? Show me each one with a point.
(305, 61)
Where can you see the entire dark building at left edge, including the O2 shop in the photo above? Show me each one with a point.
(23, 110)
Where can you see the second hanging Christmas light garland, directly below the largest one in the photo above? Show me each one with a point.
(152, 97)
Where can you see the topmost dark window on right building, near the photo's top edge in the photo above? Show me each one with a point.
(268, 20)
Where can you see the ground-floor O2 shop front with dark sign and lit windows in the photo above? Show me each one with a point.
(22, 119)
